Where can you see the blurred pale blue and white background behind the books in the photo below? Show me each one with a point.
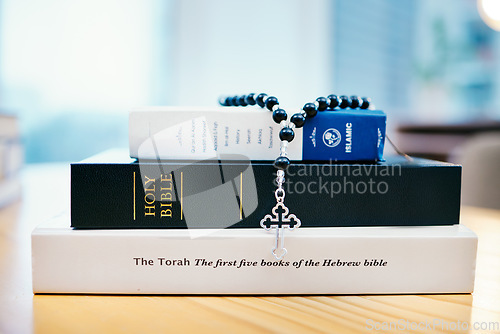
(71, 70)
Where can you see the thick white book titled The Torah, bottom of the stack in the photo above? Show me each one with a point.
(341, 260)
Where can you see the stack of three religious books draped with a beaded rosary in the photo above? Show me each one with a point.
(155, 220)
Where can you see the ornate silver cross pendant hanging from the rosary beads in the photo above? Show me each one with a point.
(280, 219)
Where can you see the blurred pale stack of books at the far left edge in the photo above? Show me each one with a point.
(11, 159)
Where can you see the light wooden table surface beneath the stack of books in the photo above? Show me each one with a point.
(46, 191)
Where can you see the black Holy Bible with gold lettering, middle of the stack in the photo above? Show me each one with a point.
(107, 192)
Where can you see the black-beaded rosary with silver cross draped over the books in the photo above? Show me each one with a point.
(281, 218)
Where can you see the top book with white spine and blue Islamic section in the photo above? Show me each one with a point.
(249, 134)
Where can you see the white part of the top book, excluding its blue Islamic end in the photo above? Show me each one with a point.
(200, 133)
